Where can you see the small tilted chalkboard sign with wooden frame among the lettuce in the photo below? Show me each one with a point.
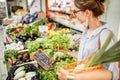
(42, 59)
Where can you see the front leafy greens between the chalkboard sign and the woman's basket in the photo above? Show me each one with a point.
(62, 59)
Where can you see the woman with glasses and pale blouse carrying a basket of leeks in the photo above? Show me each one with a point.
(88, 11)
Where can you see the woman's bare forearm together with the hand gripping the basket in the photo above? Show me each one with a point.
(101, 74)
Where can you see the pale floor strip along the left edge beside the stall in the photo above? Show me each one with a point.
(2, 65)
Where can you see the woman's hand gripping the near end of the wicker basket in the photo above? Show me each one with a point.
(62, 74)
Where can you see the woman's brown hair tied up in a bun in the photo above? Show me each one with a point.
(96, 6)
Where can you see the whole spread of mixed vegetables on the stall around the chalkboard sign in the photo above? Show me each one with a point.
(56, 44)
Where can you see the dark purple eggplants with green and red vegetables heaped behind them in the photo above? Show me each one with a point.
(21, 33)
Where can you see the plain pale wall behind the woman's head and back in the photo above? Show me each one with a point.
(113, 15)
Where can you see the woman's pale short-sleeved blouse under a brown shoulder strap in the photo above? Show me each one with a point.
(89, 45)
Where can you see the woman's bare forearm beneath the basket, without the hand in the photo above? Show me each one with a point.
(101, 74)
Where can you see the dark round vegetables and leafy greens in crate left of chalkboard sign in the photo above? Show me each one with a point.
(13, 57)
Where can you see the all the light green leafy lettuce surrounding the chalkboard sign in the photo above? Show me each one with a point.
(47, 45)
